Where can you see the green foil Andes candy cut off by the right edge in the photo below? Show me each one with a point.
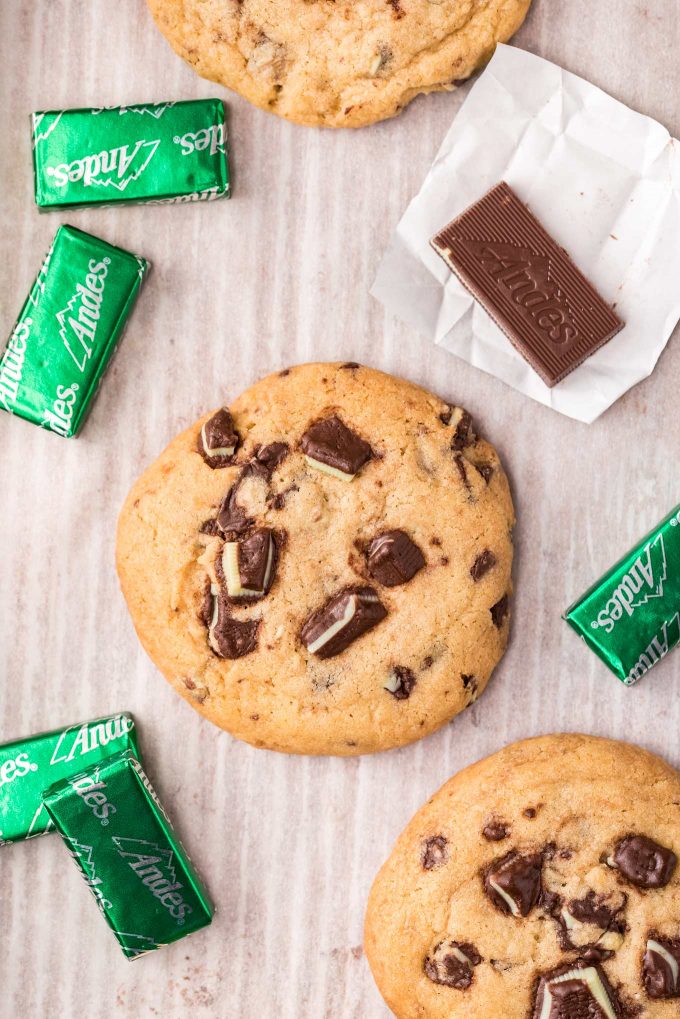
(632, 617)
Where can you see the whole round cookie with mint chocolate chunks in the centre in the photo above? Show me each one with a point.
(379, 606)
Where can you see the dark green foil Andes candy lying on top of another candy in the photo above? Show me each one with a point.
(122, 839)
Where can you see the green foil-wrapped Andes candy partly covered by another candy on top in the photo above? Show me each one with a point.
(31, 766)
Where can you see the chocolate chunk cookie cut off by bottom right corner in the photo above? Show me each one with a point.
(540, 884)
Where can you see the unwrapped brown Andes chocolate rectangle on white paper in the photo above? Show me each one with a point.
(552, 315)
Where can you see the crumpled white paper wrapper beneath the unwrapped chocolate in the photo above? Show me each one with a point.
(604, 181)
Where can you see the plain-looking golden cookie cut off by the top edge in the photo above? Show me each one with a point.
(337, 64)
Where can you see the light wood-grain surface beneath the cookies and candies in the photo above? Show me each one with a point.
(279, 276)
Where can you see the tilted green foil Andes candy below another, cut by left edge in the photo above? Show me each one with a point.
(68, 331)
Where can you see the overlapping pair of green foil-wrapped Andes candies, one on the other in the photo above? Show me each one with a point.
(87, 783)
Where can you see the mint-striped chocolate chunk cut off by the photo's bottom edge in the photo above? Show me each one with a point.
(577, 991)
